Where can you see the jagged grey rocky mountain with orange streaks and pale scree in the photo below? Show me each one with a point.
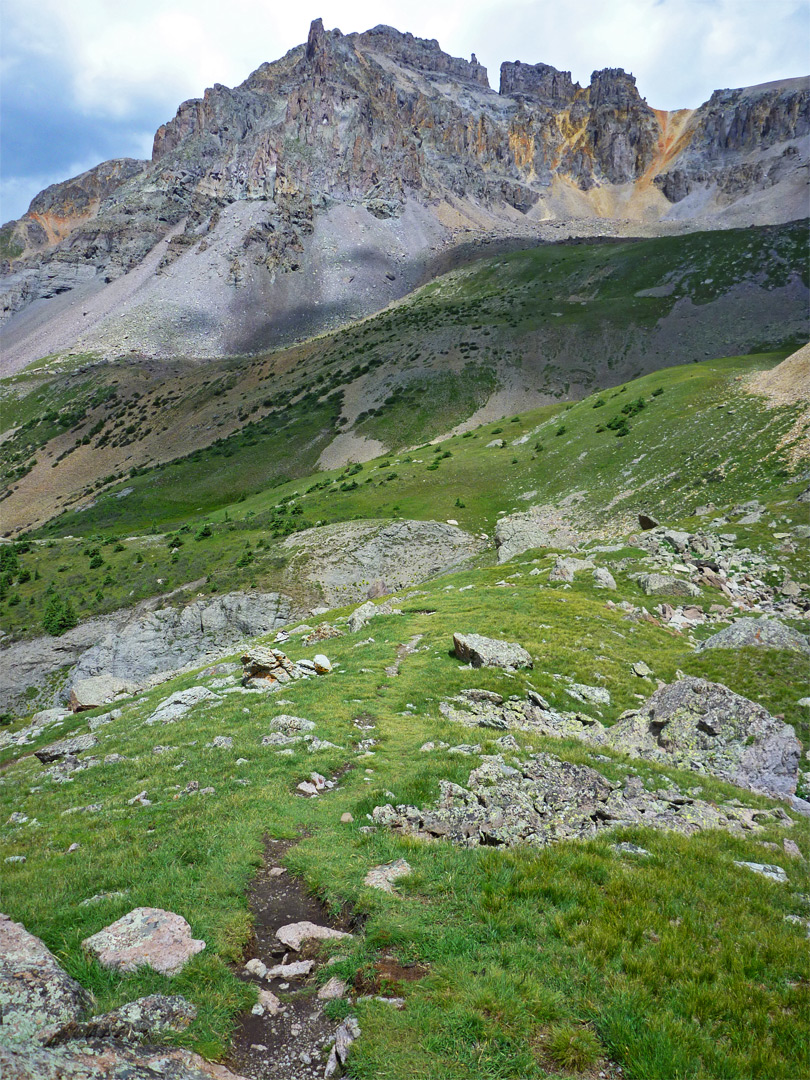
(320, 188)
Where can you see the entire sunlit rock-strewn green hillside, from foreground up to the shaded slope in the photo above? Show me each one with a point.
(606, 943)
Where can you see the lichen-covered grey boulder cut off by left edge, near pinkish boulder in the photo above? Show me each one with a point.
(37, 997)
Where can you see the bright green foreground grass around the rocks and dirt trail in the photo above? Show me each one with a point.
(682, 966)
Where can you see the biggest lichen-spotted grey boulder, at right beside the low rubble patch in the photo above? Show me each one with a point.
(706, 727)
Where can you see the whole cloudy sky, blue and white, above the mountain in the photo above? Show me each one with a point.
(87, 80)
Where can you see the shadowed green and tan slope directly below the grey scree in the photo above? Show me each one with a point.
(561, 320)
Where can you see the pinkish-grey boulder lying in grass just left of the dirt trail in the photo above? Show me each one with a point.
(147, 937)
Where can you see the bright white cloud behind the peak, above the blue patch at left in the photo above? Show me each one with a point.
(120, 56)
